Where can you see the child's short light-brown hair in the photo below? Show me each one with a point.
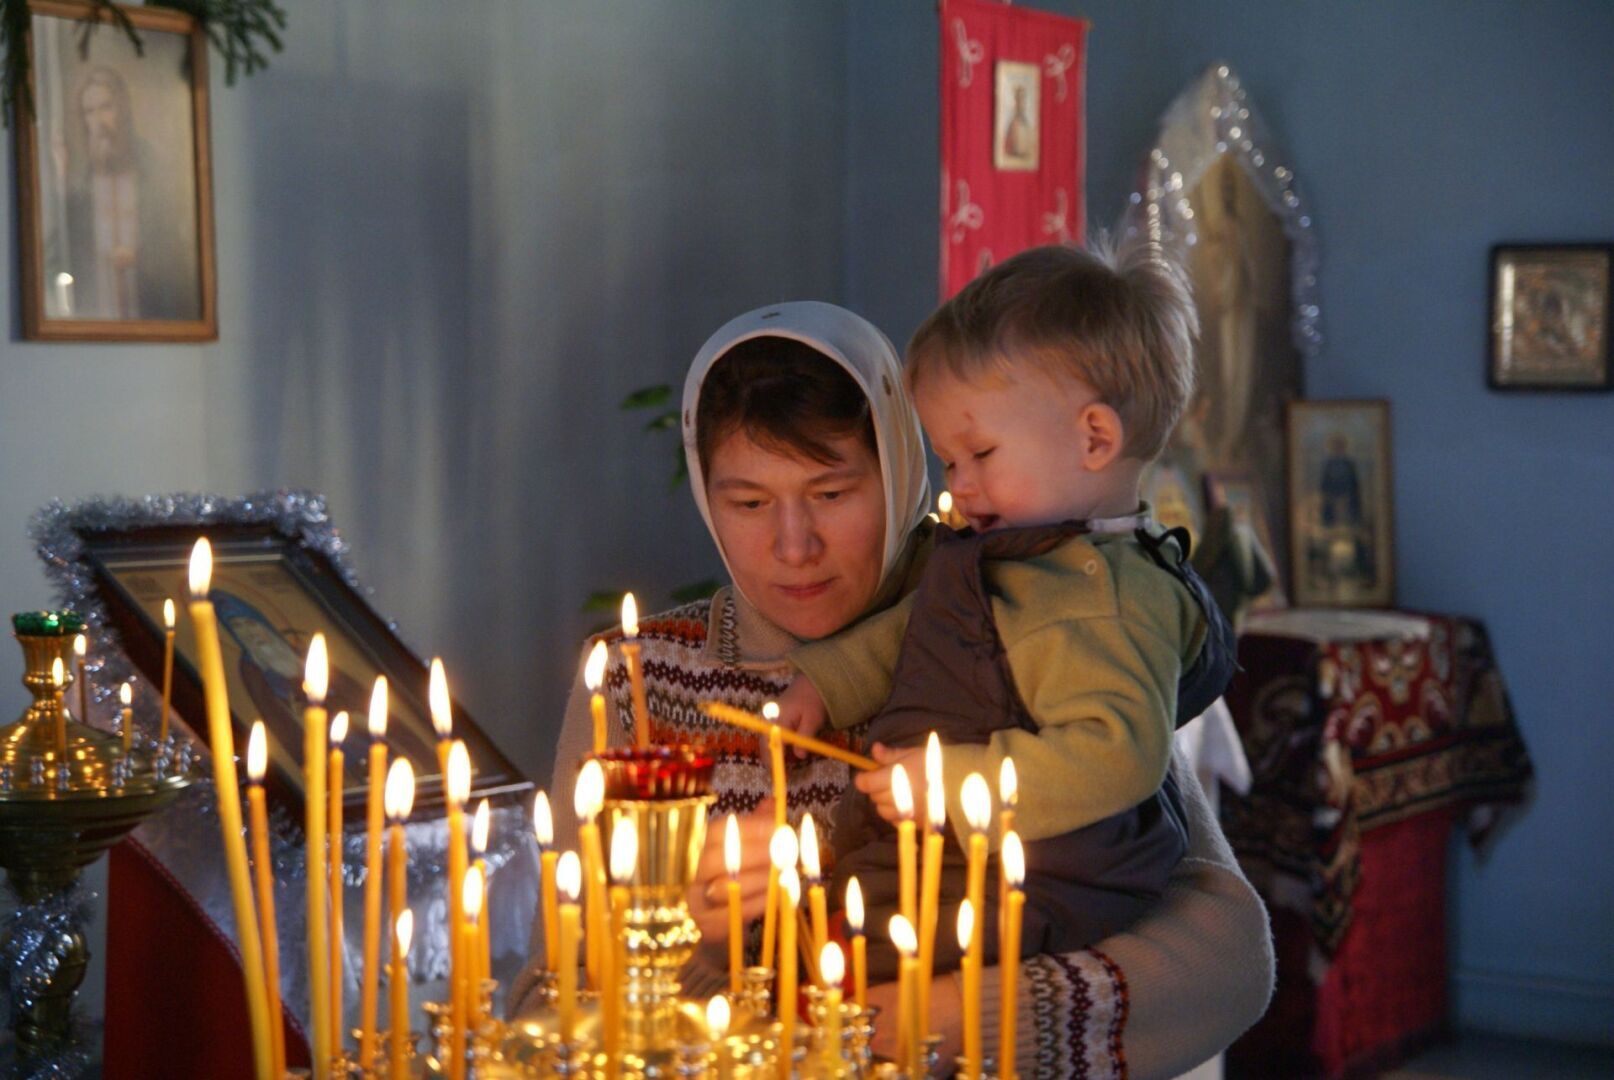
(1119, 319)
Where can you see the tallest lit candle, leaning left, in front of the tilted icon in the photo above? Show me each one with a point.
(224, 745)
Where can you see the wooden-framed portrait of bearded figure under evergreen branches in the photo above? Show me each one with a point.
(114, 178)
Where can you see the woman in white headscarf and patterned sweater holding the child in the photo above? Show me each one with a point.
(806, 463)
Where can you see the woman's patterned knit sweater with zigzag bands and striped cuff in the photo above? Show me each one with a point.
(1153, 1002)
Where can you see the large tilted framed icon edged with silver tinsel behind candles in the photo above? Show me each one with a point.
(272, 593)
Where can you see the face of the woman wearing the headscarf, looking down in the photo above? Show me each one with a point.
(803, 540)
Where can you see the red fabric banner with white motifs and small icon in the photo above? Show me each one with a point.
(1011, 135)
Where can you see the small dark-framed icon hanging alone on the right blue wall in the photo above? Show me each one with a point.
(1550, 317)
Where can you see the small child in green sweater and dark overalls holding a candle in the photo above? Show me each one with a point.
(1063, 629)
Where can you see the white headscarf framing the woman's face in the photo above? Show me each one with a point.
(868, 356)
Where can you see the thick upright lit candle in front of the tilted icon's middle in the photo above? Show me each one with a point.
(317, 679)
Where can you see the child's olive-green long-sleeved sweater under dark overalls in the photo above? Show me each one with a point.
(1097, 637)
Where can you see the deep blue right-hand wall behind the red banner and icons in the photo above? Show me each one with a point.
(1423, 133)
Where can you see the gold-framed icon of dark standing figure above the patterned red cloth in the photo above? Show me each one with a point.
(1342, 529)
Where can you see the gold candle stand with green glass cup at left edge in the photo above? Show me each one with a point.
(67, 795)
